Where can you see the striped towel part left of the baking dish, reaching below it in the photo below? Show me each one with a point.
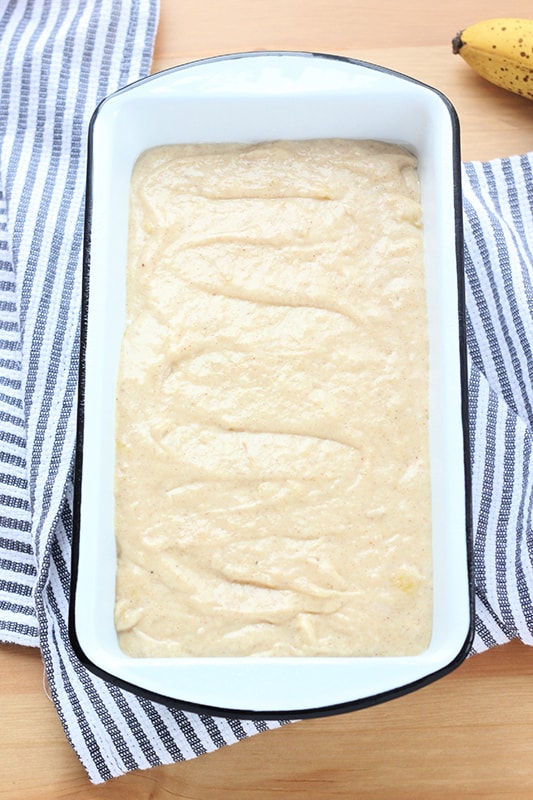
(58, 58)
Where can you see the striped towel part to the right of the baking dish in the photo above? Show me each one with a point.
(498, 219)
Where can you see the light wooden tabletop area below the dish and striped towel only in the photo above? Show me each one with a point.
(468, 735)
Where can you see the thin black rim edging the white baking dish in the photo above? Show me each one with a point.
(281, 714)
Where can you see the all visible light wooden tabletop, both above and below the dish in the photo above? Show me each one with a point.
(471, 733)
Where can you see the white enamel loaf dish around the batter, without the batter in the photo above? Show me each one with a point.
(257, 97)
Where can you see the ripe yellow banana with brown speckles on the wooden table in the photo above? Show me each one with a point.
(501, 51)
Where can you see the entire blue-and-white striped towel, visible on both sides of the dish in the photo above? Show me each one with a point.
(58, 58)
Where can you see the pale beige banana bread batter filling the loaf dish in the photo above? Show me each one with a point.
(272, 479)
